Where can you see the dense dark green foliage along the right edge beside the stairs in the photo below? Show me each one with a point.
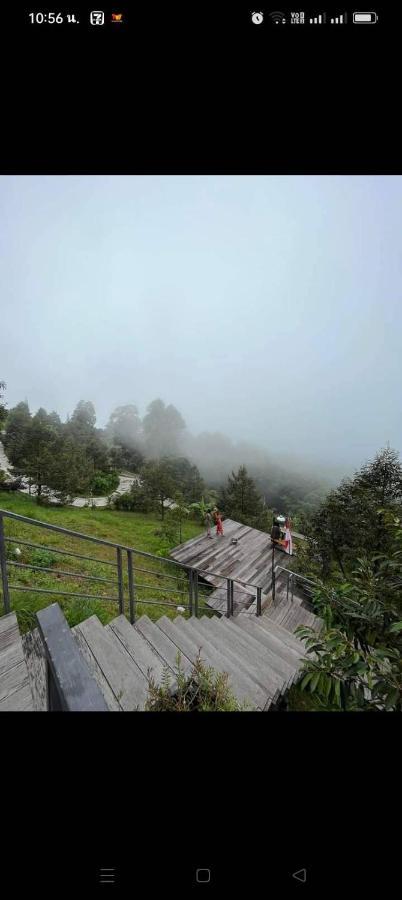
(355, 555)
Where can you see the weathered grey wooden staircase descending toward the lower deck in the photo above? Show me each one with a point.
(262, 658)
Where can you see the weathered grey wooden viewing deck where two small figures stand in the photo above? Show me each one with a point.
(248, 561)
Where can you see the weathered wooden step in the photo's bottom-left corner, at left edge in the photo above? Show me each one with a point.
(15, 689)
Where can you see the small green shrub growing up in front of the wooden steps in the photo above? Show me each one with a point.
(202, 690)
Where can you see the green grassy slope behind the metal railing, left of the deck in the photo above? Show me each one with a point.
(137, 530)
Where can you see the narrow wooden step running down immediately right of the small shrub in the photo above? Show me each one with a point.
(241, 681)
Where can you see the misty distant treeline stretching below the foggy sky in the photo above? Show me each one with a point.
(76, 457)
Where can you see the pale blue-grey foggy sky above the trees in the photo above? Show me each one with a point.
(265, 307)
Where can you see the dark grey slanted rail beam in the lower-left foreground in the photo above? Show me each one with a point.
(77, 688)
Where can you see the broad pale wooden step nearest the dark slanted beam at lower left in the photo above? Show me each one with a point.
(124, 678)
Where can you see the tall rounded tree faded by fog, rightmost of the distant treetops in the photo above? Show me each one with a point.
(163, 426)
